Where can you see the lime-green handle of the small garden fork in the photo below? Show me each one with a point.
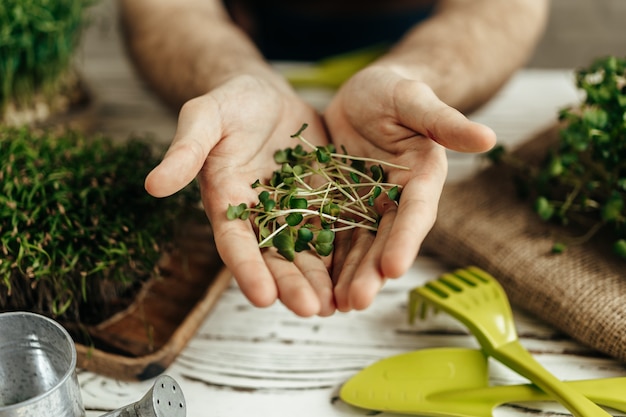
(516, 357)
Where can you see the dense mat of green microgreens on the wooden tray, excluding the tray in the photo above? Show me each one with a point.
(78, 232)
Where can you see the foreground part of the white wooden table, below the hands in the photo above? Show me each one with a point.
(249, 362)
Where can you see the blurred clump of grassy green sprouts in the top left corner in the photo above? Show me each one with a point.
(37, 41)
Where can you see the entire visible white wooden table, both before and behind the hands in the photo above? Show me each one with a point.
(266, 362)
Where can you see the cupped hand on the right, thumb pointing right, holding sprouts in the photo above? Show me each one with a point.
(383, 115)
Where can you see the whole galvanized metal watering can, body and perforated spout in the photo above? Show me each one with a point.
(38, 375)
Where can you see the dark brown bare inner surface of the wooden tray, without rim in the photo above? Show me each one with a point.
(186, 274)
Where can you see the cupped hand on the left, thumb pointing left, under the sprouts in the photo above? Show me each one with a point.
(227, 138)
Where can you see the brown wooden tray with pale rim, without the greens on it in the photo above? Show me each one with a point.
(144, 339)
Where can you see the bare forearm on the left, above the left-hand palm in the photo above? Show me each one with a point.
(185, 48)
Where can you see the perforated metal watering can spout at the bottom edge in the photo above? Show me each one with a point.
(164, 399)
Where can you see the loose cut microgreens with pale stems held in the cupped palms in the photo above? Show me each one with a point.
(315, 193)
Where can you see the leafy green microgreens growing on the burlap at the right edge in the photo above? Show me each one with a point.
(583, 180)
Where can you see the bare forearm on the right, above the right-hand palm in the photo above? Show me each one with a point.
(470, 48)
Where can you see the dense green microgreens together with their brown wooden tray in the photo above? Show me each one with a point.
(131, 277)
